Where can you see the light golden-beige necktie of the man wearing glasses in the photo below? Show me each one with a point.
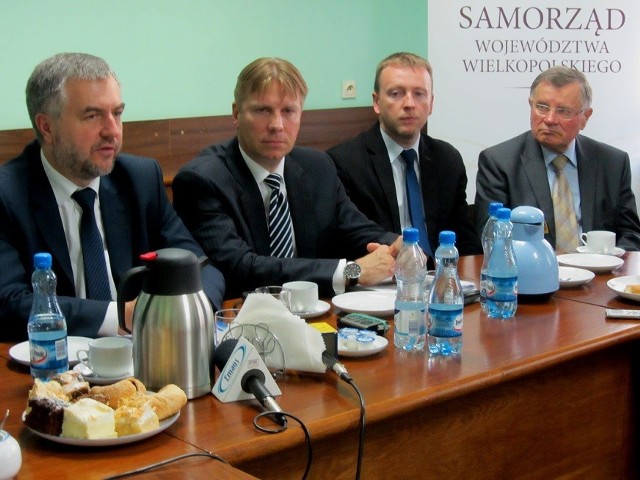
(564, 212)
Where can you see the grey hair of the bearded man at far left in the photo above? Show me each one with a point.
(45, 88)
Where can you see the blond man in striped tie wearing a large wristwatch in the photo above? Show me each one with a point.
(227, 199)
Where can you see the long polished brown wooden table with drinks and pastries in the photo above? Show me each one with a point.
(550, 393)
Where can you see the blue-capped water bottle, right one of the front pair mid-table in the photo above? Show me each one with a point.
(444, 333)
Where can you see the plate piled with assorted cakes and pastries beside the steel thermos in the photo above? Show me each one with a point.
(68, 410)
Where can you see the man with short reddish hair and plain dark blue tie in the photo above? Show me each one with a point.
(374, 174)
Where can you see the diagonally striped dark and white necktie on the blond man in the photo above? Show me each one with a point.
(280, 228)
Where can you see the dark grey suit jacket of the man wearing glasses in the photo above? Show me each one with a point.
(514, 173)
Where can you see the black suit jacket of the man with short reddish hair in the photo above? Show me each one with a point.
(365, 170)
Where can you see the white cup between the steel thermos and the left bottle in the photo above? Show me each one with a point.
(108, 357)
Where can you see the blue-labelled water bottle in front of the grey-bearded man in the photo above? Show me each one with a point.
(47, 326)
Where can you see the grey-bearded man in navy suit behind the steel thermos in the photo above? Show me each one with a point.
(75, 107)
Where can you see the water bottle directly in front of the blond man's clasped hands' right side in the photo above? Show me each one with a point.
(410, 324)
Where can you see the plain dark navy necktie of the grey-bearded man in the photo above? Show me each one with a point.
(95, 267)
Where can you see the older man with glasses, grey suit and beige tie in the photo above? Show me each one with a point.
(580, 184)
